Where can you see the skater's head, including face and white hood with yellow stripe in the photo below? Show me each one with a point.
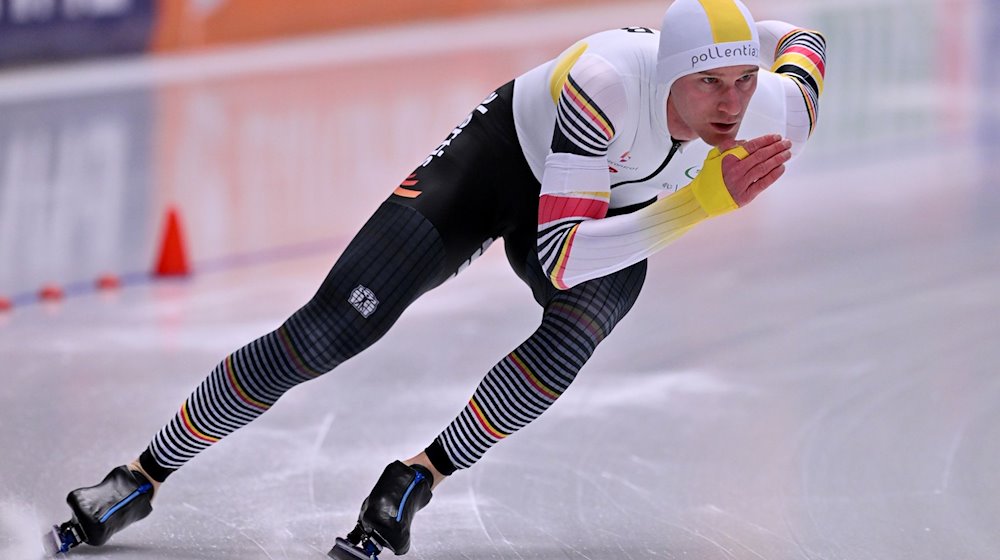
(708, 58)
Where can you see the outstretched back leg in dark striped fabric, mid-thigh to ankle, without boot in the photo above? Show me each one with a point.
(397, 256)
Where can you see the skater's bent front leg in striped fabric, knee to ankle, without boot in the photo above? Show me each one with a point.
(530, 379)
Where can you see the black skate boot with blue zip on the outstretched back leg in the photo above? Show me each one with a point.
(121, 499)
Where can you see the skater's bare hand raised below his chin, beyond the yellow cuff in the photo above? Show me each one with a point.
(763, 164)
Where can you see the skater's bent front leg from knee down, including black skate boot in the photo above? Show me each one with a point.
(515, 392)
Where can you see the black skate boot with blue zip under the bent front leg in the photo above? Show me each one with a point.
(387, 513)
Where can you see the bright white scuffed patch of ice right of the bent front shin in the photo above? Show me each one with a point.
(611, 391)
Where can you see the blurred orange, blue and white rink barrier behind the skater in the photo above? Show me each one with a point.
(269, 127)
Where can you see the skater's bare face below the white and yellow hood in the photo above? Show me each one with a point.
(711, 105)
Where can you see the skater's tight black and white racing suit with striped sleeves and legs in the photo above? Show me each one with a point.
(574, 166)
